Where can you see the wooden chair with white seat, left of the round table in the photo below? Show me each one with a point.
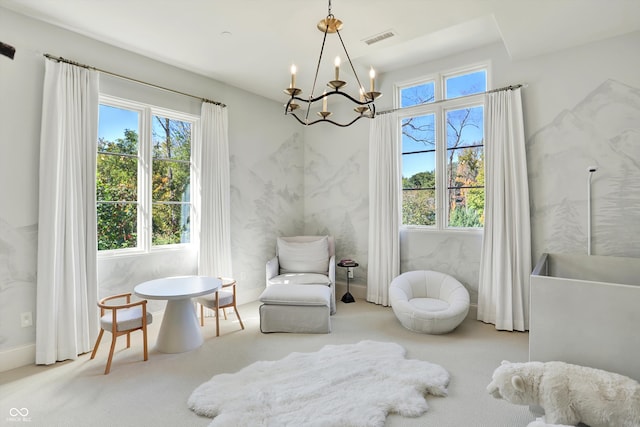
(122, 320)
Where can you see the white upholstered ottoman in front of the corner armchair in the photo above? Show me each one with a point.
(296, 308)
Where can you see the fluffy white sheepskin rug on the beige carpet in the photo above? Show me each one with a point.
(340, 385)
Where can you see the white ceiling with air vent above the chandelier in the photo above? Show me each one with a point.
(251, 44)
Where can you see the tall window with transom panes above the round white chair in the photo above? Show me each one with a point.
(442, 142)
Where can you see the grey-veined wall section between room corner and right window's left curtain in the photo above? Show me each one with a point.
(337, 191)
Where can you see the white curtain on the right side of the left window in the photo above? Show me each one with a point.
(211, 159)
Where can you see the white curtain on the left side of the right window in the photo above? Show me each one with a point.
(384, 207)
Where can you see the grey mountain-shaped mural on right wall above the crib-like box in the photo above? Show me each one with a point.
(603, 130)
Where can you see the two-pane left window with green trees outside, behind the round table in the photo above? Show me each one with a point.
(143, 176)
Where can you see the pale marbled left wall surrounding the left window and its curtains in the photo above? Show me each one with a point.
(266, 153)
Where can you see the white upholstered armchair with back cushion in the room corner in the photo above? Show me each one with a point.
(304, 260)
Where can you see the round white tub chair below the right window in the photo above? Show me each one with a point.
(428, 302)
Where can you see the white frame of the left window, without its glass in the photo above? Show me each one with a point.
(146, 112)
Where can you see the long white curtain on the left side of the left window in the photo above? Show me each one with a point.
(67, 283)
